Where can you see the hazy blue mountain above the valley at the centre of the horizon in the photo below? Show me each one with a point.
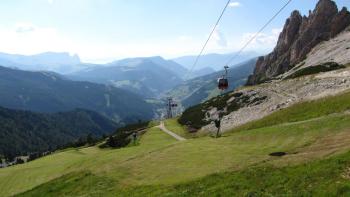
(145, 76)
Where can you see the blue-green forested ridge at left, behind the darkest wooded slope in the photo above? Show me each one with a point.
(50, 92)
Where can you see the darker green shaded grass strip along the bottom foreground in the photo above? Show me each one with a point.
(328, 177)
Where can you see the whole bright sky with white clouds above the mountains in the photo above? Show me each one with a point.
(103, 30)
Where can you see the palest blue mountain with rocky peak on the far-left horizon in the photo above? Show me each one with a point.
(49, 61)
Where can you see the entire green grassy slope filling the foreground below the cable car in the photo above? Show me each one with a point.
(238, 163)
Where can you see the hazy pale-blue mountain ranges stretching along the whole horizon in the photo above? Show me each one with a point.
(148, 77)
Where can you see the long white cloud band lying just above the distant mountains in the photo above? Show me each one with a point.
(27, 38)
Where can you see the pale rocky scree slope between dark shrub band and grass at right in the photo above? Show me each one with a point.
(266, 99)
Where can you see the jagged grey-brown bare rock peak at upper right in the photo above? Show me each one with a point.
(300, 34)
